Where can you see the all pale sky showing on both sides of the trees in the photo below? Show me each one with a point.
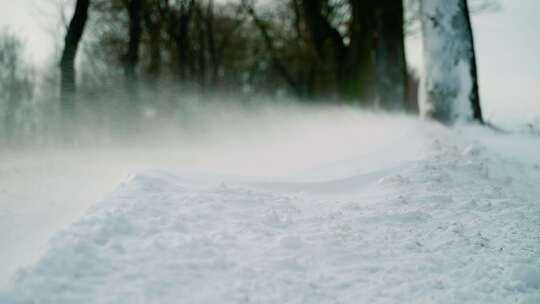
(507, 42)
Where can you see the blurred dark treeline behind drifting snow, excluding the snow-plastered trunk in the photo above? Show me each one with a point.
(143, 60)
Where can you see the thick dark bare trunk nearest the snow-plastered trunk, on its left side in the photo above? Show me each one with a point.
(390, 62)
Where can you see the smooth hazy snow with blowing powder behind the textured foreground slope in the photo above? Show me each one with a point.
(45, 190)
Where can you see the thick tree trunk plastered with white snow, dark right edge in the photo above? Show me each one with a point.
(451, 85)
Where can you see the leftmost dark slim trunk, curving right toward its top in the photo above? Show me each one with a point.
(67, 62)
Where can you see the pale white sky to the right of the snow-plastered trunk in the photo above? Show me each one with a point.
(508, 48)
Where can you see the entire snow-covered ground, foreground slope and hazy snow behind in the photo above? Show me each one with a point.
(322, 207)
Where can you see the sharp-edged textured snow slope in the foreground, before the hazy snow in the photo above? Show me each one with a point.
(457, 222)
